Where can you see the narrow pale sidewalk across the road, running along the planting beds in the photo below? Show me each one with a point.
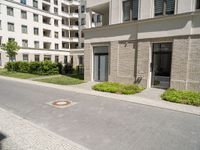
(138, 98)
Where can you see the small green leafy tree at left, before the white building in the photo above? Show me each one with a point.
(11, 48)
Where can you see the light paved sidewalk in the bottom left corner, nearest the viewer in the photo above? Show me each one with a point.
(19, 134)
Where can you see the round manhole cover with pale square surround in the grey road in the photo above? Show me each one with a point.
(61, 103)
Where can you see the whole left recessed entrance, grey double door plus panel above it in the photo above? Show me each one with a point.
(100, 69)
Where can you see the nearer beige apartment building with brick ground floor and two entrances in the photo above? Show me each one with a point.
(155, 43)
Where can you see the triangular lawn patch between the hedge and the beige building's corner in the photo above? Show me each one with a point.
(64, 80)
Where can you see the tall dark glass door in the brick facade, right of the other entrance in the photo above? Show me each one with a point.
(161, 65)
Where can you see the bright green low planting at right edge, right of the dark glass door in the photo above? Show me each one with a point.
(183, 97)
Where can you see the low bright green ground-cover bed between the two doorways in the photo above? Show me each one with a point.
(118, 88)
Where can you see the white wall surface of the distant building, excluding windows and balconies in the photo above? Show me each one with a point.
(19, 36)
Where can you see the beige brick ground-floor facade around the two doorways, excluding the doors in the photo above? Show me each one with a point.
(129, 61)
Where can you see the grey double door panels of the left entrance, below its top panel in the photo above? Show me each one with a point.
(100, 67)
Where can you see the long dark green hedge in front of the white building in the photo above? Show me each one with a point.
(40, 68)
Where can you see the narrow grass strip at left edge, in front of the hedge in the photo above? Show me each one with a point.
(4, 72)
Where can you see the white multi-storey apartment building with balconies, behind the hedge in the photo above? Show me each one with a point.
(45, 30)
